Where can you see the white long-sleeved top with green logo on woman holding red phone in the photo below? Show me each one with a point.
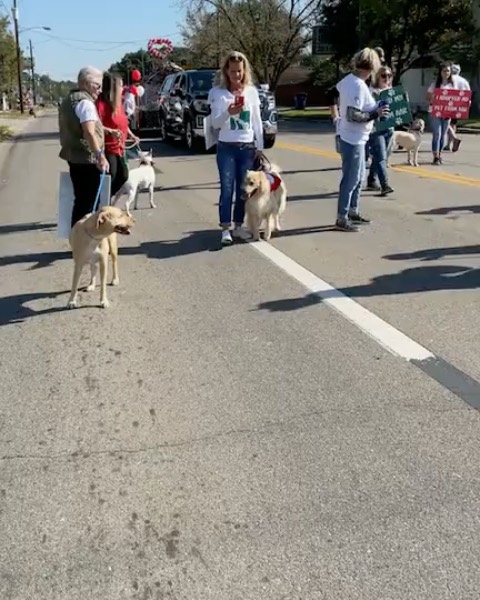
(246, 127)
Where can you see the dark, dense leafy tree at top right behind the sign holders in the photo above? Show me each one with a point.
(405, 29)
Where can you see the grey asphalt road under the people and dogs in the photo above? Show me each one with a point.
(222, 432)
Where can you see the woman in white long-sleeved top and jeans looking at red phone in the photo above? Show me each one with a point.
(235, 112)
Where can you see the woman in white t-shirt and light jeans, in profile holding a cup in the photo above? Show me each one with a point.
(358, 111)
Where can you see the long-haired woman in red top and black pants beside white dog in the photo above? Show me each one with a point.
(115, 125)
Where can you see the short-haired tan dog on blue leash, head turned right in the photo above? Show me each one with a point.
(92, 239)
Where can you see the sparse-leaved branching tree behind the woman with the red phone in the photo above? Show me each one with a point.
(272, 33)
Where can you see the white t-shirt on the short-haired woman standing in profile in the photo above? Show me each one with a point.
(354, 92)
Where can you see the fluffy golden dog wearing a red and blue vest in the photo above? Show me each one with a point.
(265, 200)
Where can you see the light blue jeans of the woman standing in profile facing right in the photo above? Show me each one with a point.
(353, 172)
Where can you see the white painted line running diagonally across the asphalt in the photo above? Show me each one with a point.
(385, 334)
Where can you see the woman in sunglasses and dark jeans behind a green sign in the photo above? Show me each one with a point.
(379, 140)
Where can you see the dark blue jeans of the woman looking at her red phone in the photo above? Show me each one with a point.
(233, 161)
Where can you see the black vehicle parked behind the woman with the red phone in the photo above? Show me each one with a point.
(183, 106)
